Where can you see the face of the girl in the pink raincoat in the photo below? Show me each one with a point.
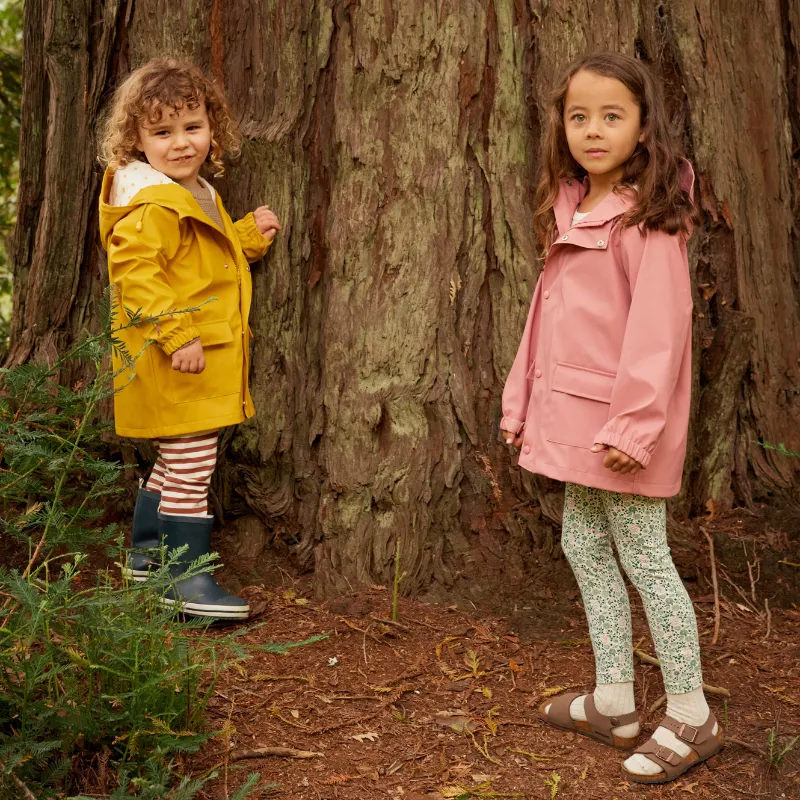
(602, 121)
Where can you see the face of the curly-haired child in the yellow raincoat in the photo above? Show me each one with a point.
(178, 144)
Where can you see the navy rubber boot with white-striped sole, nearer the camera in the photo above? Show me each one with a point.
(200, 595)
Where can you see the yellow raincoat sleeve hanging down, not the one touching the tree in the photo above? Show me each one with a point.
(138, 252)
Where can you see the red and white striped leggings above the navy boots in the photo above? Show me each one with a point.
(183, 472)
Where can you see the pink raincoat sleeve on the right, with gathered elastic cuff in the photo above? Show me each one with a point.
(657, 339)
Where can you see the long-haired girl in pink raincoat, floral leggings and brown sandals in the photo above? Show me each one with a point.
(599, 394)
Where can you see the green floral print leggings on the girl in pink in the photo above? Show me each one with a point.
(638, 526)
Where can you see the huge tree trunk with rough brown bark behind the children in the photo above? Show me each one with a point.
(397, 141)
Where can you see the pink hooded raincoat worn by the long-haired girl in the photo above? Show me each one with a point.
(606, 355)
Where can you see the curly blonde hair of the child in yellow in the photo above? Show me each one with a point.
(144, 95)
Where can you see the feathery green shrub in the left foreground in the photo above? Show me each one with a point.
(98, 684)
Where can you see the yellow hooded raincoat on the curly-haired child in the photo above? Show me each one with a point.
(165, 254)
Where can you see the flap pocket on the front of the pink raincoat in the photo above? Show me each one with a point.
(578, 405)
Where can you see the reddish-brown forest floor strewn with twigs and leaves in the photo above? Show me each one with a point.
(443, 704)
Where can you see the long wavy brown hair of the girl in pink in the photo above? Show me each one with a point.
(651, 173)
